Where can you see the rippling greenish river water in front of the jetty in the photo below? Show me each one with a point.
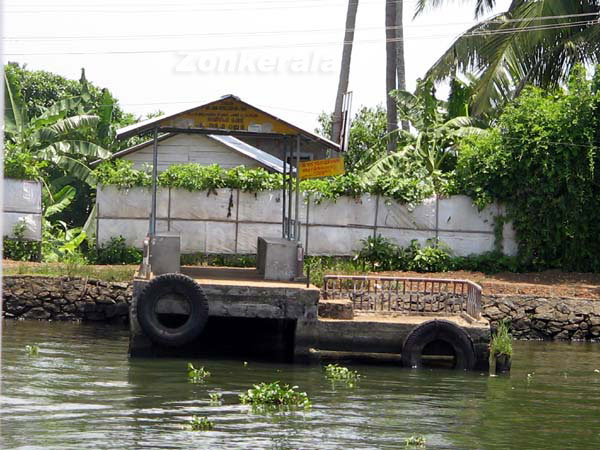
(81, 391)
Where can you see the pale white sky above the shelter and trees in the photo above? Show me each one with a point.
(281, 55)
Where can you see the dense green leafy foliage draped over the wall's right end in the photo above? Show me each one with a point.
(542, 161)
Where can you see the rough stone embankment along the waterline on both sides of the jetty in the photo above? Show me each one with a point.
(47, 298)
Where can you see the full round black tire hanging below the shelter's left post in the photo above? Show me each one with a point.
(157, 288)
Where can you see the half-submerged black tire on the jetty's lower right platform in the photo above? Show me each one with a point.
(458, 339)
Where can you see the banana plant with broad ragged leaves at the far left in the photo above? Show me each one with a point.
(52, 137)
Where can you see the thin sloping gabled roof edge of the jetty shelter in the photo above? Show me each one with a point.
(147, 125)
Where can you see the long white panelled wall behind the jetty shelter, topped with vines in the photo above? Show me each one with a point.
(229, 221)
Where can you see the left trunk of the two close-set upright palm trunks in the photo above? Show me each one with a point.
(390, 70)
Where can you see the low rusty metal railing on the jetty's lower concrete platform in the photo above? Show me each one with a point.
(417, 296)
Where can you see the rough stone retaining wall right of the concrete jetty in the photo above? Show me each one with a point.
(545, 318)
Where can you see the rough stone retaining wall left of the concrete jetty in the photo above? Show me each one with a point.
(64, 298)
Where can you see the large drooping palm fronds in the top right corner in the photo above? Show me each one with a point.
(533, 42)
